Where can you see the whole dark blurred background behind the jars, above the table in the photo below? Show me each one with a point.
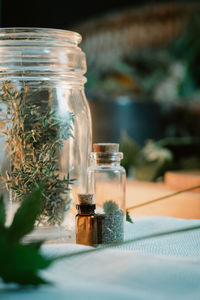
(143, 75)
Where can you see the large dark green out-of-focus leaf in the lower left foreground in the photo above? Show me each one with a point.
(20, 263)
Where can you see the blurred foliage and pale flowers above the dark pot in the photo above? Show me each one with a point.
(163, 73)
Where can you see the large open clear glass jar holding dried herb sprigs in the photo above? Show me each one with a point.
(45, 124)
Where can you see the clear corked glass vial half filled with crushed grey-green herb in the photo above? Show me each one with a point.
(106, 179)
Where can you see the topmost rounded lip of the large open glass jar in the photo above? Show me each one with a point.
(9, 33)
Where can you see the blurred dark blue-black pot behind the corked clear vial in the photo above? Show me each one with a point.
(140, 119)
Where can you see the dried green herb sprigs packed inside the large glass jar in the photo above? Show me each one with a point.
(35, 134)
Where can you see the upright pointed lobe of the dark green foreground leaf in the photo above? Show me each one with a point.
(25, 216)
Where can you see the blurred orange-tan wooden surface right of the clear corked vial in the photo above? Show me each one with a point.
(185, 205)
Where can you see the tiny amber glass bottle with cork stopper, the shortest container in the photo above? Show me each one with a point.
(86, 222)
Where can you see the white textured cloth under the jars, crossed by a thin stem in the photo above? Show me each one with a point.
(167, 267)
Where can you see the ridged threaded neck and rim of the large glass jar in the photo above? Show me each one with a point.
(39, 53)
